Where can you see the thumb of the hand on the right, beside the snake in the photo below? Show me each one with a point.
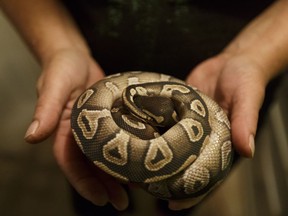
(244, 118)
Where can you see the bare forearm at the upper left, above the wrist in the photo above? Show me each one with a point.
(45, 25)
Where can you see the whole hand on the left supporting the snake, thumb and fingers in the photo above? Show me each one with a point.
(65, 76)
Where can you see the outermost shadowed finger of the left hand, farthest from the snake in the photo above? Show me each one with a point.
(80, 172)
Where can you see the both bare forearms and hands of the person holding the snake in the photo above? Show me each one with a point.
(236, 79)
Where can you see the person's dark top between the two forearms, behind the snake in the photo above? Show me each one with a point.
(168, 36)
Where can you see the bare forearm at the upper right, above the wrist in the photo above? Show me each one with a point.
(265, 40)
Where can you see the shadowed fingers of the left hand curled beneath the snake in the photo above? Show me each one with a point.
(92, 183)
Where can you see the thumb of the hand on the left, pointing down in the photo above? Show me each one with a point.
(53, 95)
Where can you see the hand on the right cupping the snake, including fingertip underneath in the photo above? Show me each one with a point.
(237, 83)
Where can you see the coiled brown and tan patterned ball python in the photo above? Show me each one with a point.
(154, 130)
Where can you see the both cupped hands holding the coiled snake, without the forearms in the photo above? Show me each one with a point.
(235, 82)
